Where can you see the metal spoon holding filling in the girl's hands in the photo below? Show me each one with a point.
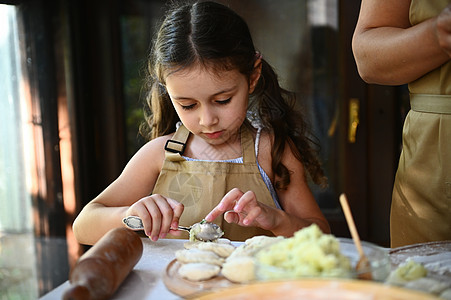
(202, 231)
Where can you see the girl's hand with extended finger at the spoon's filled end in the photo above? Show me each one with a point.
(243, 209)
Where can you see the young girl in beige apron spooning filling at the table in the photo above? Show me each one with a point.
(240, 151)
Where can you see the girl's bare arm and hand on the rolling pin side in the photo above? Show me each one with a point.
(128, 194)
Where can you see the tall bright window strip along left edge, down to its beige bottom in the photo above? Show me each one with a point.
(17, 255)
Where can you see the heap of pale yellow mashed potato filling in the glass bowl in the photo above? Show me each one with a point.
(309, 253)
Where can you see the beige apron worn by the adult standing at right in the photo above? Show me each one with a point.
(421, 206)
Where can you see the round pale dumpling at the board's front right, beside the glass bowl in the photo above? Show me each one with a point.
(240, 269)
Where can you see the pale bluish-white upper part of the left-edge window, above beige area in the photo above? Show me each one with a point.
(14, 197)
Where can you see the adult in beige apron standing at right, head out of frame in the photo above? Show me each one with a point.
(409, 41)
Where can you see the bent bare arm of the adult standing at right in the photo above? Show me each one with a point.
(388, 50)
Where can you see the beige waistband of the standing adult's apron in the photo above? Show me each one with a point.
(439, 104)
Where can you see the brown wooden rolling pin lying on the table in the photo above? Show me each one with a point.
(100, 271)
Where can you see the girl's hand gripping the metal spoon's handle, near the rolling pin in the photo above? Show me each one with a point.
(158, 214)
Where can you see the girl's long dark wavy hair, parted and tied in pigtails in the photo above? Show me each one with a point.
(214, 36)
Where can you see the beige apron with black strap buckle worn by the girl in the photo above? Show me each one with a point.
(200, 185)
